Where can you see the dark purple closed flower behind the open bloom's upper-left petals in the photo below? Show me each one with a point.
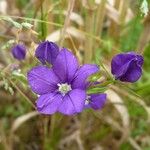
(47, 52)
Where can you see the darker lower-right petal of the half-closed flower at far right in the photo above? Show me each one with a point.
(133, 73)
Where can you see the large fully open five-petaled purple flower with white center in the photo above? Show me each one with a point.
(62, 88)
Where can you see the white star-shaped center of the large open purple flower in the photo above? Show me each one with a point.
(64, 88)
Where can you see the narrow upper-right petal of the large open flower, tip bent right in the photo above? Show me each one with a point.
(82, 74)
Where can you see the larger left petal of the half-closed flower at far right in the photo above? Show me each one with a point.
(120, 63)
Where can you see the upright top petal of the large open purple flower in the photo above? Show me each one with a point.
(65, 65)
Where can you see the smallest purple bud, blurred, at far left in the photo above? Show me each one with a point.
(19, 51)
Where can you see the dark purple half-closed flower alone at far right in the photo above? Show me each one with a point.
(127, 67)
